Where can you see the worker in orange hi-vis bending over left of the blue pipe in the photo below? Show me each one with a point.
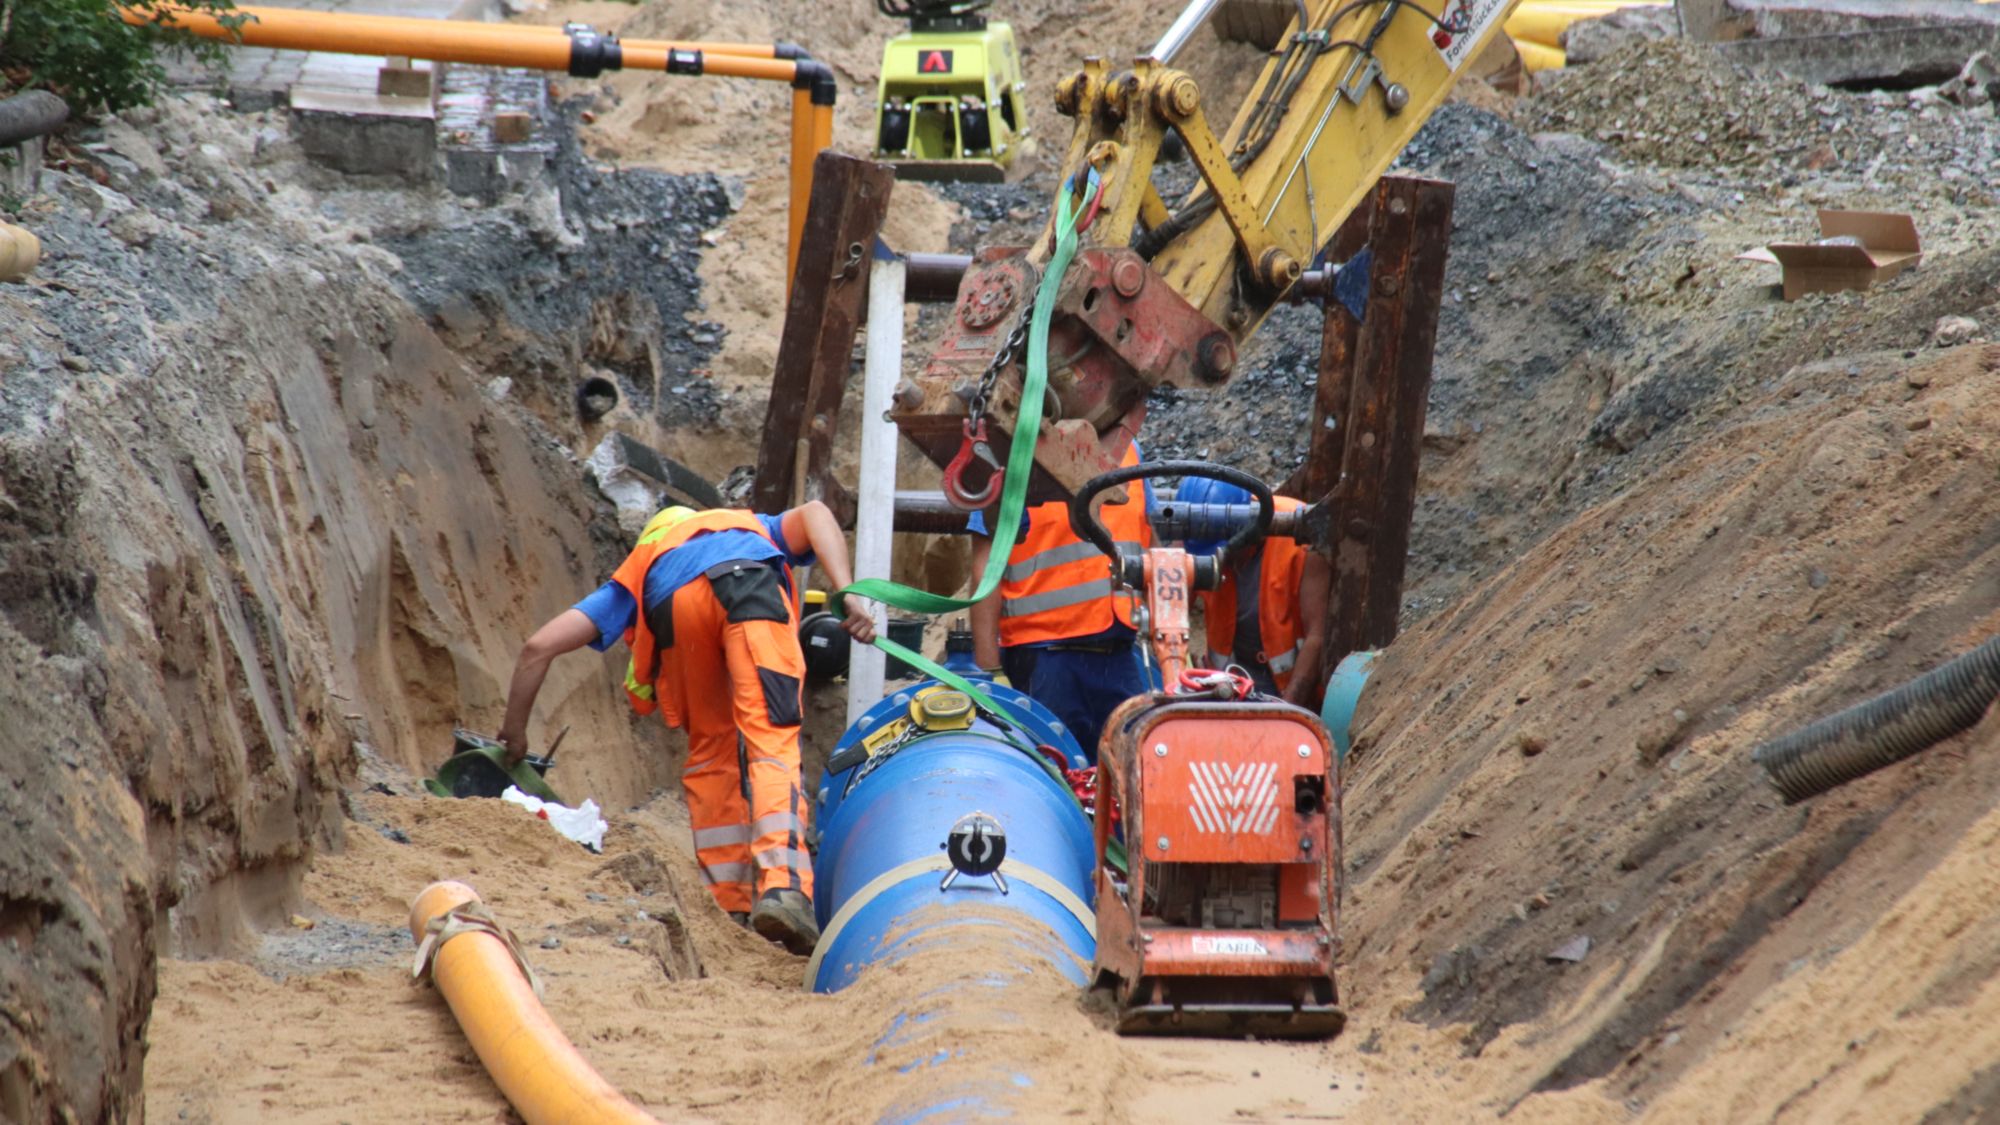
(717, 652)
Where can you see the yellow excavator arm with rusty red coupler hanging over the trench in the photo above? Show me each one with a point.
(1167, 293)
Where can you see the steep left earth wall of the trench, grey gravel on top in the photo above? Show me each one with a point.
(259, 525)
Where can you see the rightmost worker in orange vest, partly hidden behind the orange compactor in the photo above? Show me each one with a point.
(1269, 608)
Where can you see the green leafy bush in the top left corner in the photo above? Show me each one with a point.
(91, 55)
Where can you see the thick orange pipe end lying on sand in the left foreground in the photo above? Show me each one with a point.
(529, 1058)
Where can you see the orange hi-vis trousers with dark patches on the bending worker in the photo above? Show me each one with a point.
(739, 678)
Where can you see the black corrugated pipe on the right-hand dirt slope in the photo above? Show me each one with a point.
(1887, 730)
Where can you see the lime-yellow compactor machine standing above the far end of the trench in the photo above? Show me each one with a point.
(949, 105)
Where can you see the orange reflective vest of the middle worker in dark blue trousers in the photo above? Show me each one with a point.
(1057, 586)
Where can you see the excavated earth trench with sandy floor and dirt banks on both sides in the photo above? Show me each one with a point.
(291, 465)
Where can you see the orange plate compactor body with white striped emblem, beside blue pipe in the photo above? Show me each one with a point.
(1225, 918)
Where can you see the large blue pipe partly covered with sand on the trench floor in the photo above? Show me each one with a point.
(881, 872)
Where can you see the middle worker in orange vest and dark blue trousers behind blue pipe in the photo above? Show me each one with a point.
(1057, 628)
